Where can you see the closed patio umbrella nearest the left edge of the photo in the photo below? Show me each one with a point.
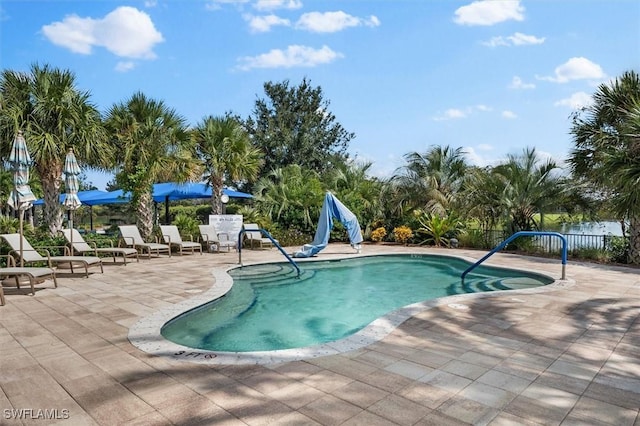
(21, 196)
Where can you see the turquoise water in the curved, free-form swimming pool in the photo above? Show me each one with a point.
(268, 308)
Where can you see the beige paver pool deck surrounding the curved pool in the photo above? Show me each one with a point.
(566, 356)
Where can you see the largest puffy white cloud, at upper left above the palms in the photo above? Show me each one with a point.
(125, 32)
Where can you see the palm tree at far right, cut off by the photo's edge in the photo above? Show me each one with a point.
(606, 135)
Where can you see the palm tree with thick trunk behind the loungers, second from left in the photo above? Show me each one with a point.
(153, 145)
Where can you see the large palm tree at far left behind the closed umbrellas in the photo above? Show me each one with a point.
(54, 116)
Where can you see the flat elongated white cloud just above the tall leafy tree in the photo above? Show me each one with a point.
(293, 56)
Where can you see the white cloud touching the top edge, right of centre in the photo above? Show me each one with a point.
(489, 12)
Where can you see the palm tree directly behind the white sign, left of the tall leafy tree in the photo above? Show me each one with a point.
(227, 153)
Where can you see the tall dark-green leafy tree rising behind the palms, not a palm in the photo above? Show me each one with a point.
(294, 126)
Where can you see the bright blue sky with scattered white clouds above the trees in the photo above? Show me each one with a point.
(492, 76)
